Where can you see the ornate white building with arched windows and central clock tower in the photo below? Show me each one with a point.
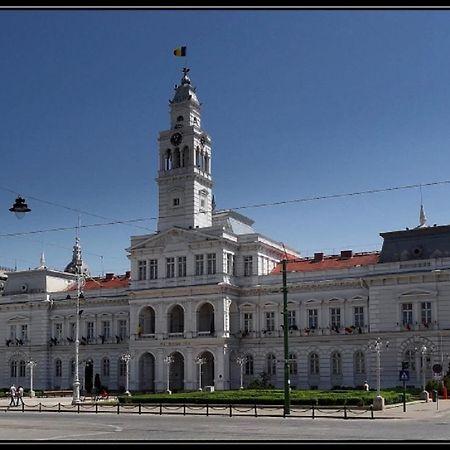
(206, 290)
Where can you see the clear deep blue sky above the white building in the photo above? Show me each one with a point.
(301, 105)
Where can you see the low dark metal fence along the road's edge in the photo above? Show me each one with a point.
(206, 409)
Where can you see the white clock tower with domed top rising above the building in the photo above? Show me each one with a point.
(184, 176)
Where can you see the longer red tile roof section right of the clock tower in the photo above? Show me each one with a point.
(333, 262)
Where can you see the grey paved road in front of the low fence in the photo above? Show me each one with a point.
(422, 421)
